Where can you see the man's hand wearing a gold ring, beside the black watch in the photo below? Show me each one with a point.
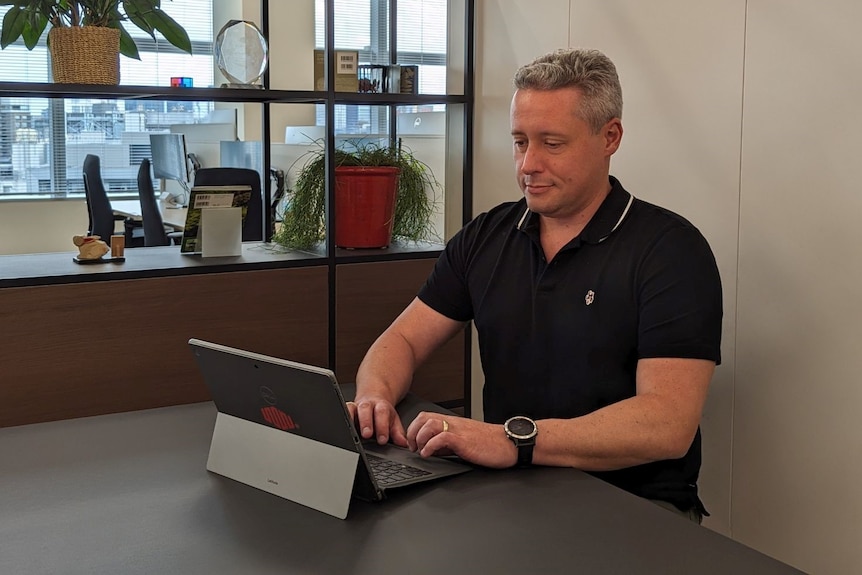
(474, 441)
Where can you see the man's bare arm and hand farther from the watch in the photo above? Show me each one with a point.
(386, 372)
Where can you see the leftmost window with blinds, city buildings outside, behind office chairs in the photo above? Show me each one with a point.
(43, 141)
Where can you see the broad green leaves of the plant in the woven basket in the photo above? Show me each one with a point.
(28, 19)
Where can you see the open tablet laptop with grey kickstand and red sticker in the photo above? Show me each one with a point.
(283, 427)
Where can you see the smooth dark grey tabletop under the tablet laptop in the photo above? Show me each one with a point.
(129, 493)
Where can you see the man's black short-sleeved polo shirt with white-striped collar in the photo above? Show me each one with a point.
(562, 339)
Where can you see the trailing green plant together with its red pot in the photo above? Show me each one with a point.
(381, 193)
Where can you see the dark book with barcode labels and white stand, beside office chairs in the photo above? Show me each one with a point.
(226, 208)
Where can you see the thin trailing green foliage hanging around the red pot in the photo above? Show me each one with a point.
(303, 223)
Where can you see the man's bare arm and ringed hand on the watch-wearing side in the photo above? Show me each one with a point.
(656, 424)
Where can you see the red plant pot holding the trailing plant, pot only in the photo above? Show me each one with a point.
(365, 206)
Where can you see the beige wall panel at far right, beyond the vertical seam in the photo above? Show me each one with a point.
(797, 466)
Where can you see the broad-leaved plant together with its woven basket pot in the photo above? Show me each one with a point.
(87, 36)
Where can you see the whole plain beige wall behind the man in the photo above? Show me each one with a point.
(742, 116)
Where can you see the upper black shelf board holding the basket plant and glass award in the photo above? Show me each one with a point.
(259, 96)
